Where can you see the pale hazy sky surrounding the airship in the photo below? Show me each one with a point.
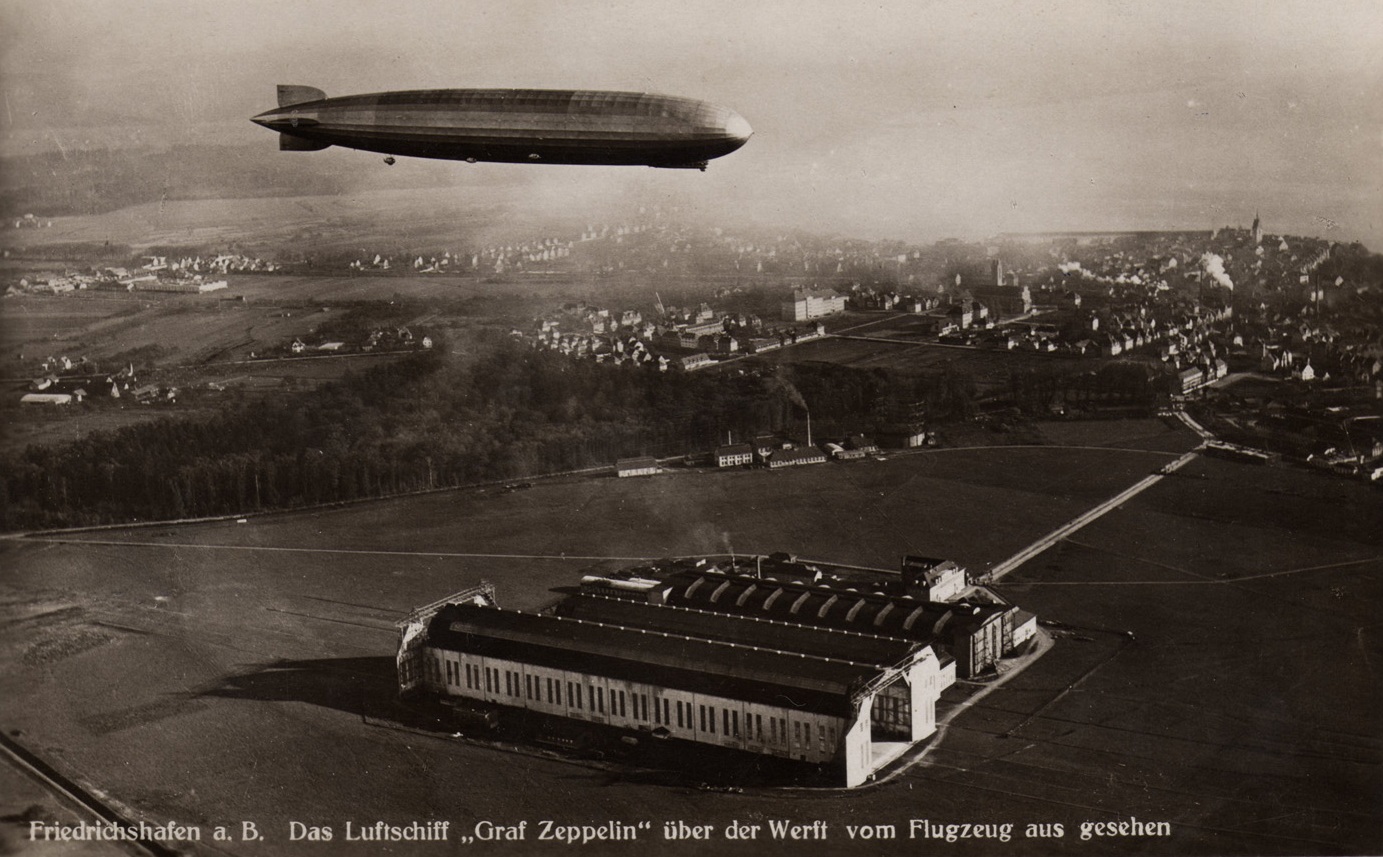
(902, 121)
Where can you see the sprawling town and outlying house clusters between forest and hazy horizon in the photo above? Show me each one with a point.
(1268, 342)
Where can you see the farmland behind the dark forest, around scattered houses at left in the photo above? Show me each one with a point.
(193, 342)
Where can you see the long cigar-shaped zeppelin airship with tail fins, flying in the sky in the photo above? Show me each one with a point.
(511, 126)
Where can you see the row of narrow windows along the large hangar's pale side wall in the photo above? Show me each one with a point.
(522, 686)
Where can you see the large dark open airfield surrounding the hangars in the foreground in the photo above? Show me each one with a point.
(222, 672)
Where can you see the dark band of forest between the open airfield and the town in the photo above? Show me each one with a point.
(427, 422)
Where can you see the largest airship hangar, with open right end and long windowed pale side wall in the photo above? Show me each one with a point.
(848, 700)
